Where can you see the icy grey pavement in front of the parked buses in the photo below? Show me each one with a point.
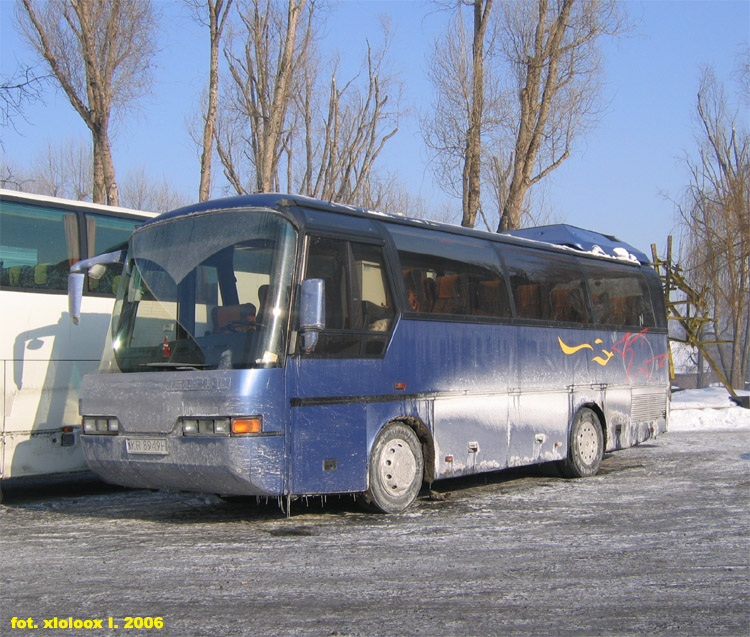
(656, 544)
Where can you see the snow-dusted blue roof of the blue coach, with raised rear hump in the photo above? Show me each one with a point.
(560, 236)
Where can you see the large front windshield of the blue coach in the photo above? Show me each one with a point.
(207, 291)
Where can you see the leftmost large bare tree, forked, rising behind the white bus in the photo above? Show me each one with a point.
(99, 51)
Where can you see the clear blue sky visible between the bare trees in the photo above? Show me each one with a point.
(619, 180)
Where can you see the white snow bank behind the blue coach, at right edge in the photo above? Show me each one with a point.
(707, 409)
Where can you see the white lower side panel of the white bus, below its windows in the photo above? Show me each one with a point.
(42, 370)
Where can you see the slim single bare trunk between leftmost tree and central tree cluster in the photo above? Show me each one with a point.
(214, 15)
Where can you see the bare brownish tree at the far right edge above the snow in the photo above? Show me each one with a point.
(716, 224)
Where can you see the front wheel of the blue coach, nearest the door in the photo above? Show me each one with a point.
(396, 469)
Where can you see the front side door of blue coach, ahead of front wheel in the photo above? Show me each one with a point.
(336, 390)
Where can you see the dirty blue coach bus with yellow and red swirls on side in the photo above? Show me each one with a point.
(276, 345)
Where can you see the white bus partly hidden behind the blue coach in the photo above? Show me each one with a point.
(42, 357)
